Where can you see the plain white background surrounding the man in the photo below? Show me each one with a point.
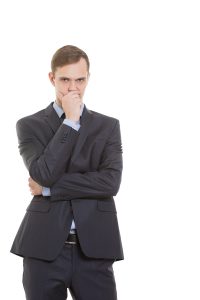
(145, 71)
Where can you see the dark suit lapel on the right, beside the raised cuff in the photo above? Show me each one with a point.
(83, 132)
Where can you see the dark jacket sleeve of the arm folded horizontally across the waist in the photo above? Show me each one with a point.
(104, 182)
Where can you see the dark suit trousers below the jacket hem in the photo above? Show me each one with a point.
(86, 278)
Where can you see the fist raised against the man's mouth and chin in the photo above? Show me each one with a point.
(71, 104)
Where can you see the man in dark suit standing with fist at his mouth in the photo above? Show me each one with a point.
(69, 236)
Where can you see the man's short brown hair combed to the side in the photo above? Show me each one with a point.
(68, 55)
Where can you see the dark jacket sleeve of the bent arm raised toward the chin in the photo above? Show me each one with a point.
(45, 163)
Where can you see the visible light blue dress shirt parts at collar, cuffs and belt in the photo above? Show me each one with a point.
(75, 125)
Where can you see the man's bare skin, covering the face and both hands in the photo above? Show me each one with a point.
(70, 82)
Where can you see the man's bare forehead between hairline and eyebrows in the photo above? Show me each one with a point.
(78, 69)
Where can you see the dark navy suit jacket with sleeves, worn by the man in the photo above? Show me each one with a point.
(83, 170)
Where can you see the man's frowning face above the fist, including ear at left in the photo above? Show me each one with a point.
(70, 78)
